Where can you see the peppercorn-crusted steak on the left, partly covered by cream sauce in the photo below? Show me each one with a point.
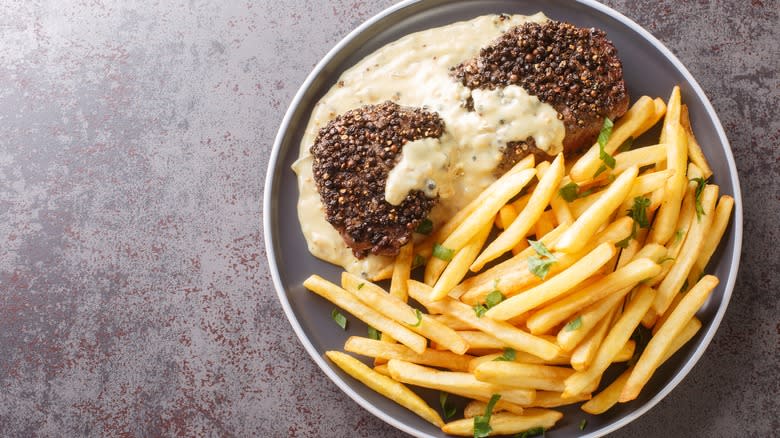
(353, 155)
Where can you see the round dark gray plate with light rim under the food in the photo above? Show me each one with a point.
(649, 68)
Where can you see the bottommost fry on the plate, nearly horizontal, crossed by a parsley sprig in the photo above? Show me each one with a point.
(507, 424)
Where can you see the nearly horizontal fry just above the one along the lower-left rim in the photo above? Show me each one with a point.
(379, 349)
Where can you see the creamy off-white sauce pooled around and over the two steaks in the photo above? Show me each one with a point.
(415, 71)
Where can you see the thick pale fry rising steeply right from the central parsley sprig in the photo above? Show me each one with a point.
(578, 234)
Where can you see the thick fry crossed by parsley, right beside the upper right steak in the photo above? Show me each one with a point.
(637, 116)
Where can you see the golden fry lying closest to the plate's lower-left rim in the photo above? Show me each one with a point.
(386, 386)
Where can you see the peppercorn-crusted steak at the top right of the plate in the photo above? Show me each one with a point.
(575, 70)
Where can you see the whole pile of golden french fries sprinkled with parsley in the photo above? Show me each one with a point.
(585, 253)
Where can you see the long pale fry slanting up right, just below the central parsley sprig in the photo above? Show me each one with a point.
(556, 286)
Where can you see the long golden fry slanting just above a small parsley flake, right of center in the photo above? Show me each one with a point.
(616, 282)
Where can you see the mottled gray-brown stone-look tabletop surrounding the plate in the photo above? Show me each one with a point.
(134, 293)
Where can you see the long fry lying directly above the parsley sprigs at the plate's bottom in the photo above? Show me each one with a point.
(464, 384)
